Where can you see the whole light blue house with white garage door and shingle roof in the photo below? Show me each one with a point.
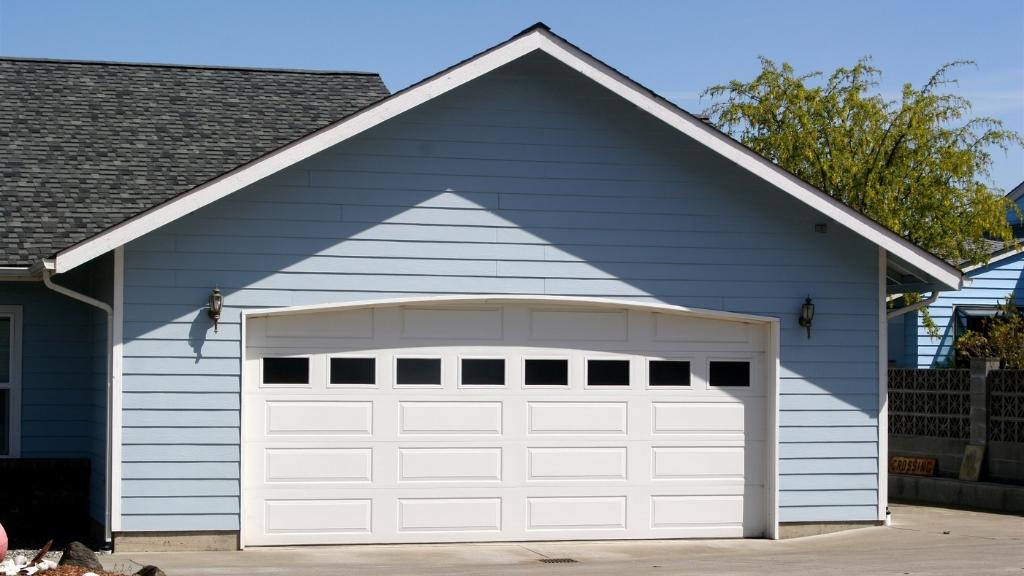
(524, 300)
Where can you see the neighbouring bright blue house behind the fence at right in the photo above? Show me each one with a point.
(911, 345)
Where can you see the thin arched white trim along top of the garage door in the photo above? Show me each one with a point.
(509, 299)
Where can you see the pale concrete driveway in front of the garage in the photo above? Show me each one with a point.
(922, 541)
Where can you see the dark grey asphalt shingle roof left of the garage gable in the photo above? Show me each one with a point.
(86, 146)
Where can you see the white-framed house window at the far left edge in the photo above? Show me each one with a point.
(11, 327)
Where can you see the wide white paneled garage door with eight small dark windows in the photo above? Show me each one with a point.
(502, 421)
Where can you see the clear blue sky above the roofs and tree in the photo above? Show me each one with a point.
(676, 49)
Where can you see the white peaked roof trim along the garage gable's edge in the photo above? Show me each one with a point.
(537, 38)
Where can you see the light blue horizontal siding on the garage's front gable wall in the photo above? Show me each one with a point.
(511, 187)
